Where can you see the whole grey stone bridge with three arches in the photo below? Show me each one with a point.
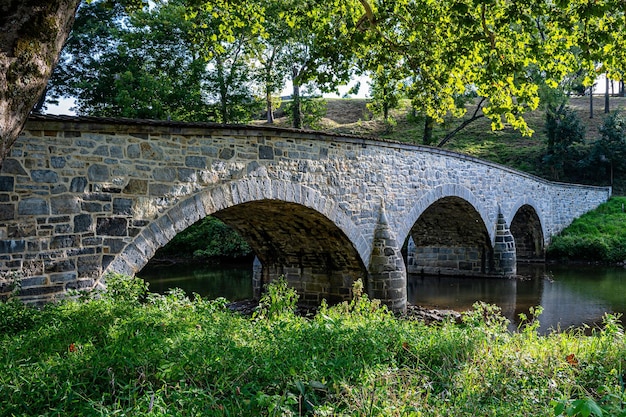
(80, 197)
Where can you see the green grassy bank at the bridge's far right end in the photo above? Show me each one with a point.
(598, 236)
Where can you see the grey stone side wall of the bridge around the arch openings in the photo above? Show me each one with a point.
(67, 216)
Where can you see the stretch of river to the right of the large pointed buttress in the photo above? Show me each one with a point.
(571, 296)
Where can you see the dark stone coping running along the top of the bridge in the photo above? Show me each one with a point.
(151, 126)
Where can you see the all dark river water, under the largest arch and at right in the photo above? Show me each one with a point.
(570, 295)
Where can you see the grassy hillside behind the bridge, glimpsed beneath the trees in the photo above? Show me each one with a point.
(507, 147)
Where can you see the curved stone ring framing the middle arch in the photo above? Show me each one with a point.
(442, 191)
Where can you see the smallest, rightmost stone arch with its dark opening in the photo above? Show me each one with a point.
(527, 229)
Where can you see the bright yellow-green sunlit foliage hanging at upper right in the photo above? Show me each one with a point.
(451, 48)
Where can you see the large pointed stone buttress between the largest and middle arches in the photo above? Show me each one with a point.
(387, 273)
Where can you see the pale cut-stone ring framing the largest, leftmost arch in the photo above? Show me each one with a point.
(222, 199)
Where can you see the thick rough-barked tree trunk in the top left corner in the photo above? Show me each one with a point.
(32, 34)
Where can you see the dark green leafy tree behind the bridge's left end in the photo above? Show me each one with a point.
(140, 64)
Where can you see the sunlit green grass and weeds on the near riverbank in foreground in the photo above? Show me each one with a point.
(126, 353)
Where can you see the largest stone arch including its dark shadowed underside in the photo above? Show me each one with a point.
(293, 230)
